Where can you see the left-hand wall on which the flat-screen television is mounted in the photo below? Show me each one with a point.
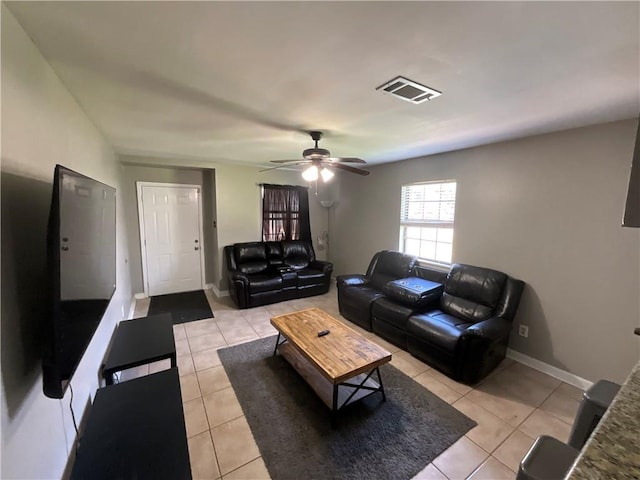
(43, 125)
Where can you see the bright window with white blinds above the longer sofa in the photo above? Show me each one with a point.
(426, 220)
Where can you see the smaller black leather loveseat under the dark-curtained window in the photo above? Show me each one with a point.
(261, 273)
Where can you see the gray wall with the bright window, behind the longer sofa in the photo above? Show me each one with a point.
(544, 209)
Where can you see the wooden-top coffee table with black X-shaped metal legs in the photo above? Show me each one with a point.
(338, 366)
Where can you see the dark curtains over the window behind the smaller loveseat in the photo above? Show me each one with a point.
(285, 213)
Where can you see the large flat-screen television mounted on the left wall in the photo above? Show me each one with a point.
(81, 244)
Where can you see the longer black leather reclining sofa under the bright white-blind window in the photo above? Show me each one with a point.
(458, 322)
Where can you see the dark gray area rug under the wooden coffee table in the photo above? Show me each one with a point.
(373, 439)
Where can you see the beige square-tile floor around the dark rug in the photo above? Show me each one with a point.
(512, 406)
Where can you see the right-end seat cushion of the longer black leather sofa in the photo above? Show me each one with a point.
(437, 328)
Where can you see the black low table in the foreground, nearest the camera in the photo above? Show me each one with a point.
(136, 431)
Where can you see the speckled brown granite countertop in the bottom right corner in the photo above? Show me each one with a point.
(613, 450)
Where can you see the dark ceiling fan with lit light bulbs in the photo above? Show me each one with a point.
(321, 162)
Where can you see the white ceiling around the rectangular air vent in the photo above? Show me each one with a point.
(242, 81)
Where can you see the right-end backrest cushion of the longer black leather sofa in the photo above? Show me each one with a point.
(472, 293)
